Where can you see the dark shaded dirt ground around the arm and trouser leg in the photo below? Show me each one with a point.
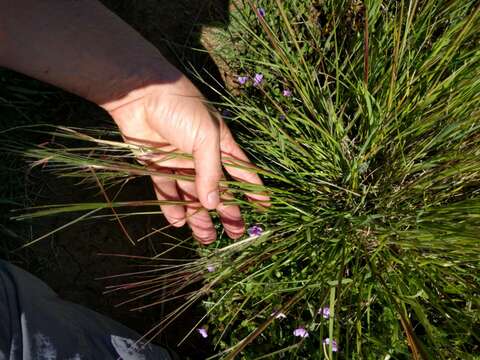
(68, 261)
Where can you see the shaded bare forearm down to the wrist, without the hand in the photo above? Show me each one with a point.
(82, 47)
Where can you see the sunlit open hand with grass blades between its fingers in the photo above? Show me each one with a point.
(173, 117)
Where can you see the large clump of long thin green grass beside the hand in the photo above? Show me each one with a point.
(363, 118)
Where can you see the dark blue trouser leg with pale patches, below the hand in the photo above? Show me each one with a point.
(35, 324)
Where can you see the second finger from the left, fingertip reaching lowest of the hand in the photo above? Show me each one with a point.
(197, 217)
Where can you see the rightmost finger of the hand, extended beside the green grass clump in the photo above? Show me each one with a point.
(239, 166)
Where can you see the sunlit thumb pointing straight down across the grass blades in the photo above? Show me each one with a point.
(208, 168)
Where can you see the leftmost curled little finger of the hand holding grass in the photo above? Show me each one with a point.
(166, 189)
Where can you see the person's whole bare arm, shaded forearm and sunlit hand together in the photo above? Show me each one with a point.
(82, 47)
